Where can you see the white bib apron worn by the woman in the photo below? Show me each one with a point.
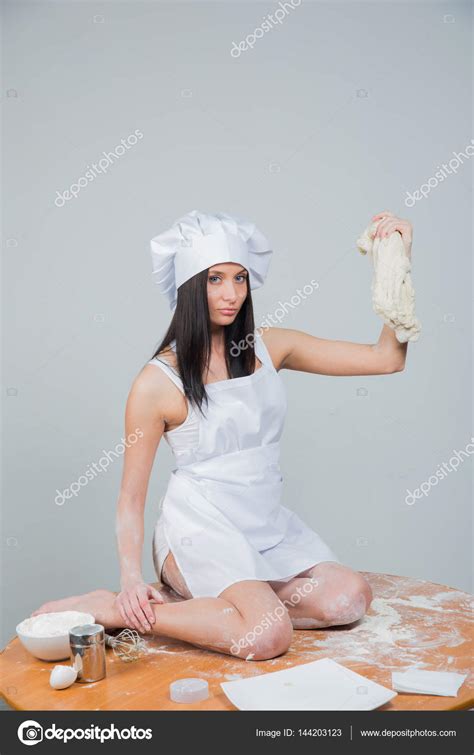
(221, 515)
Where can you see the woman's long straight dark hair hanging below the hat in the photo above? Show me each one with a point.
(191, 327)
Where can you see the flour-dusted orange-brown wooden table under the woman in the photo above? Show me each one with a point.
(411, 623)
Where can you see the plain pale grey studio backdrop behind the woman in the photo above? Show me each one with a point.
(332, 117)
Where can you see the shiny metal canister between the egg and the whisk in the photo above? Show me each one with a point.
(87, 643)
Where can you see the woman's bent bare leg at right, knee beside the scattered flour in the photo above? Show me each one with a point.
(327, 594)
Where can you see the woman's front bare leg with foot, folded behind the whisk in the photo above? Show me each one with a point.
(247, 620)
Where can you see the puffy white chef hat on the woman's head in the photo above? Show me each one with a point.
(197, 241)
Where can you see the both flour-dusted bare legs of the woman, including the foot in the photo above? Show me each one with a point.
(251, 619)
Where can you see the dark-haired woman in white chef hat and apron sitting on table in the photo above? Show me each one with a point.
(238, 571)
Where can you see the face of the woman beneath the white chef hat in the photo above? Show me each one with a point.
(226, 291)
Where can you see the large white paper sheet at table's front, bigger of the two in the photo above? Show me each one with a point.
(320, 685)
